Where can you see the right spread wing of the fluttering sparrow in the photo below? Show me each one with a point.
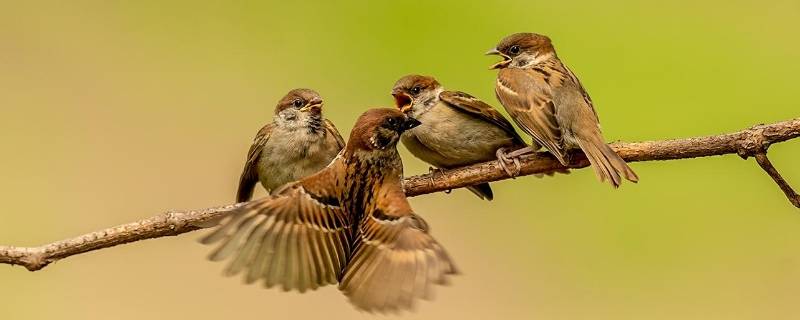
(395, 261)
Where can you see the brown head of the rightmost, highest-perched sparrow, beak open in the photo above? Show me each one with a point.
(522, 49)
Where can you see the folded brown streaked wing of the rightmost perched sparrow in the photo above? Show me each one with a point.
(528, 98)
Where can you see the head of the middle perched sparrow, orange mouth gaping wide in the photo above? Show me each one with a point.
(413, 94)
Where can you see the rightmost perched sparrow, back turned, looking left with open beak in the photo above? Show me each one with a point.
(548, 102)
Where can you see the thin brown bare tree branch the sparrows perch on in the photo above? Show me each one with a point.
(750, 142)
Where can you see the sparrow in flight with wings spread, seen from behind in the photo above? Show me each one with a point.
(349, 223)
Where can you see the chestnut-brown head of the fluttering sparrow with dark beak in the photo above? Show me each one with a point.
(379, 129)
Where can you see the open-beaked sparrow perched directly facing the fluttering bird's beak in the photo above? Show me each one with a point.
(457, 129)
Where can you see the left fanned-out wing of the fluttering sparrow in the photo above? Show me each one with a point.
(297, 238)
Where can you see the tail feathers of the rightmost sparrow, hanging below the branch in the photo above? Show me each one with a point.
(607, 164)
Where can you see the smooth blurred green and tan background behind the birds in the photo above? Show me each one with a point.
(112, 111)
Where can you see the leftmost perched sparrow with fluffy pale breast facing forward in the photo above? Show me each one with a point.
(298, 143)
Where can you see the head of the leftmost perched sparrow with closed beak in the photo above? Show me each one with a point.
(300, 108)
